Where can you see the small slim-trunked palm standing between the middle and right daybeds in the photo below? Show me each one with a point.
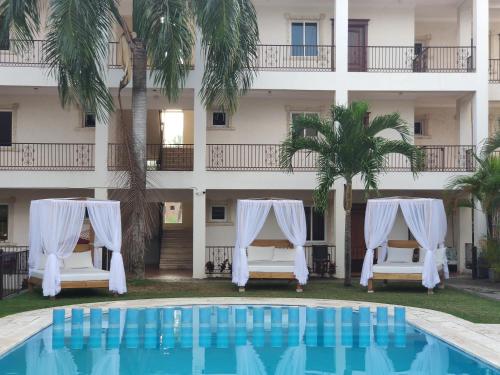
(347, 147)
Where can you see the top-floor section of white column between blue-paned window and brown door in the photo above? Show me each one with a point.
(341, 36)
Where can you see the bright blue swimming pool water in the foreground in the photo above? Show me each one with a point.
(237, 340)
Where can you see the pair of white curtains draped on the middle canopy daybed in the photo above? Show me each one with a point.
(251, 214)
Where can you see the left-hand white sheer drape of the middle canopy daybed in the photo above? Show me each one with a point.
(250, 218)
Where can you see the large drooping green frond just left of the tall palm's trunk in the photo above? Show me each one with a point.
(76, 51)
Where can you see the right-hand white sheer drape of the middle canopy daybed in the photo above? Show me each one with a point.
(291, 219)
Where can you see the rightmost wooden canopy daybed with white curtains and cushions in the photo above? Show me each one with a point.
(426, 220)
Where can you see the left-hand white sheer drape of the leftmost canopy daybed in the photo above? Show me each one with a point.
(58, 224)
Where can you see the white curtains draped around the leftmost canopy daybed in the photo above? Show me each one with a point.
(55, 226)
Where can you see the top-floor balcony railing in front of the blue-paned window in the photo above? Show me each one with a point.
(295, 57)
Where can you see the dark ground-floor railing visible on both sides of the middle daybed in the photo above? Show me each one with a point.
(219, 259)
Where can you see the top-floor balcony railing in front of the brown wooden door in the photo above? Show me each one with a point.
(410, 59)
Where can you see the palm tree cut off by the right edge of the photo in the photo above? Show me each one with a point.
(483, 185)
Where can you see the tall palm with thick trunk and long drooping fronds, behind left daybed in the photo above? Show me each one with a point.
(163, 37)
